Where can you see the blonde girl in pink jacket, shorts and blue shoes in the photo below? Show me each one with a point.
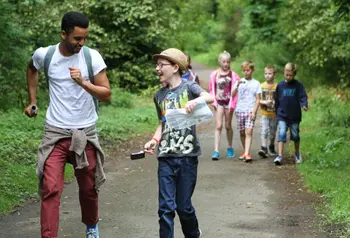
(221, 88)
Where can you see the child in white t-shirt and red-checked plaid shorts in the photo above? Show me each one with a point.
(249, 92)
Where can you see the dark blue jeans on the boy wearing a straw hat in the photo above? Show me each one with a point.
(177, 179)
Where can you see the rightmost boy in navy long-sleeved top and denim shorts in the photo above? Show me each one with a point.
(289, 99)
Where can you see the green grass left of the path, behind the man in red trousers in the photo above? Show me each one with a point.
(126, 116)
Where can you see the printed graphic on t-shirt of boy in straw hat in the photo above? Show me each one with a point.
(175, 141)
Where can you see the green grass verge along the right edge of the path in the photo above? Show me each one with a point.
(325, 144)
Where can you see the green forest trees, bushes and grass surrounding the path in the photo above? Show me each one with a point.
(312, 33)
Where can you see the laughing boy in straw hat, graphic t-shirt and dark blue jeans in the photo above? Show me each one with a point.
(178, 150)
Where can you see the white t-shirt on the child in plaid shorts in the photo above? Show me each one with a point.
(247, 95)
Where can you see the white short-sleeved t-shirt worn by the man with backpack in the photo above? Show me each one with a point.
(71, 106)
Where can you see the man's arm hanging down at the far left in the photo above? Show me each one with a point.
(32, 85)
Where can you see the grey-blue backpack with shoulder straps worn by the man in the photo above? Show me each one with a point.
(87, 56)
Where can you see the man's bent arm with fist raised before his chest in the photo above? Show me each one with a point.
(99, 89)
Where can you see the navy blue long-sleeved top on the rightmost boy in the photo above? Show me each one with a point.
(289, 98)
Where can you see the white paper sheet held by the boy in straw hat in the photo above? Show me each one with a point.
(179, 119)
